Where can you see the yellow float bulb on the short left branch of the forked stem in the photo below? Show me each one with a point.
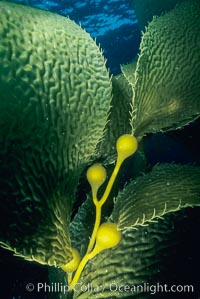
(96, 175)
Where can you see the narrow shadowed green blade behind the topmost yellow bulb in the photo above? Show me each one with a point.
(119, 119)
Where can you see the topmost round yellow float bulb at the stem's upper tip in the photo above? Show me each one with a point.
(126, 146)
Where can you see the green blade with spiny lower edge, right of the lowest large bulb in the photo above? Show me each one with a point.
(166, 189)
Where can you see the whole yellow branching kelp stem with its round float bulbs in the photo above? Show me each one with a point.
(106, 235)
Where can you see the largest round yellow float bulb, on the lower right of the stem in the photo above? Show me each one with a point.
(107, 236)
